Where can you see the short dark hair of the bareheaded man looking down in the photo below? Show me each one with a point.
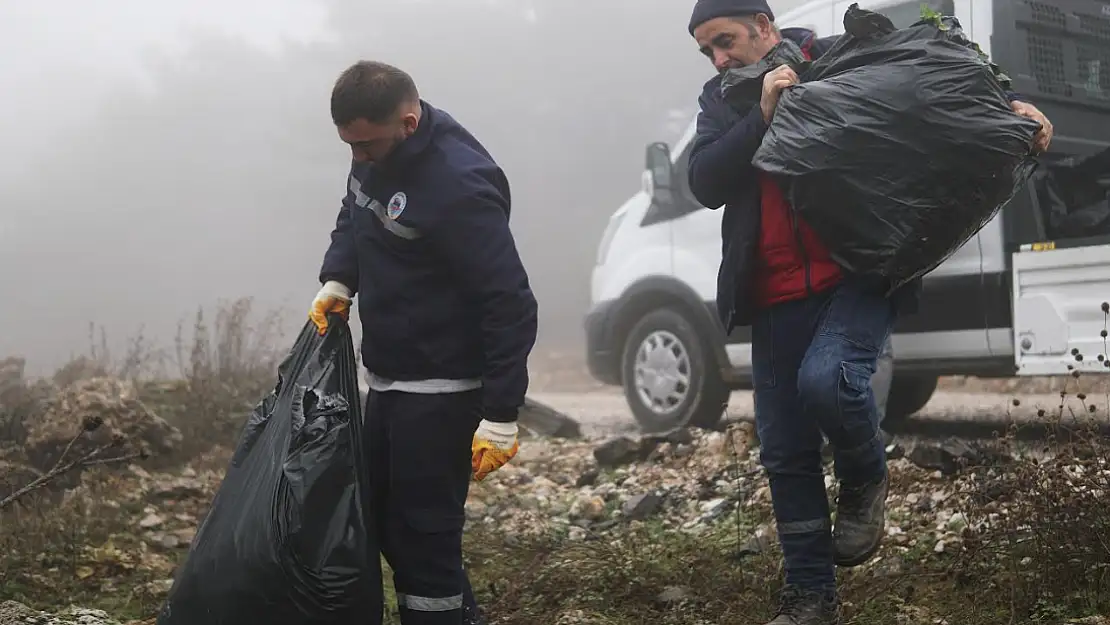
(372, 92)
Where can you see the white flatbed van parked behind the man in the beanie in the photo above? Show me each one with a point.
(1016, 299)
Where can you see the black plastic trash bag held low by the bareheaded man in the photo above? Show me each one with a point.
(288, 539)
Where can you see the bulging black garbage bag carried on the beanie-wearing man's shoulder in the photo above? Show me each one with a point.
(897, 146)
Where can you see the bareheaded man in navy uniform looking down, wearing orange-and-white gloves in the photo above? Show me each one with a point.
(448, 317)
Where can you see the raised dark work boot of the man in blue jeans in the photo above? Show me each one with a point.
(861, 521)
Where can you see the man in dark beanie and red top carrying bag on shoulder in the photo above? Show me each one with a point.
(816, 330)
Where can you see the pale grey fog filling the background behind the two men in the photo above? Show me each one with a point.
(158, 157)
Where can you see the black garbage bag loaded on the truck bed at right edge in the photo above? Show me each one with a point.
(1074, 196)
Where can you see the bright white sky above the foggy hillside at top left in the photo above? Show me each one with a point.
(63, 49)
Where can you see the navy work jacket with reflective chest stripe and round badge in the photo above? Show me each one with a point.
(423, 240)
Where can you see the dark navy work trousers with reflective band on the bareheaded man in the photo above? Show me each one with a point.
(420, 455)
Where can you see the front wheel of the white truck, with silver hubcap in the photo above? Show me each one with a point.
(670, 375)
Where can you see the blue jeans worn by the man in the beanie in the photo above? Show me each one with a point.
(813, 361)
